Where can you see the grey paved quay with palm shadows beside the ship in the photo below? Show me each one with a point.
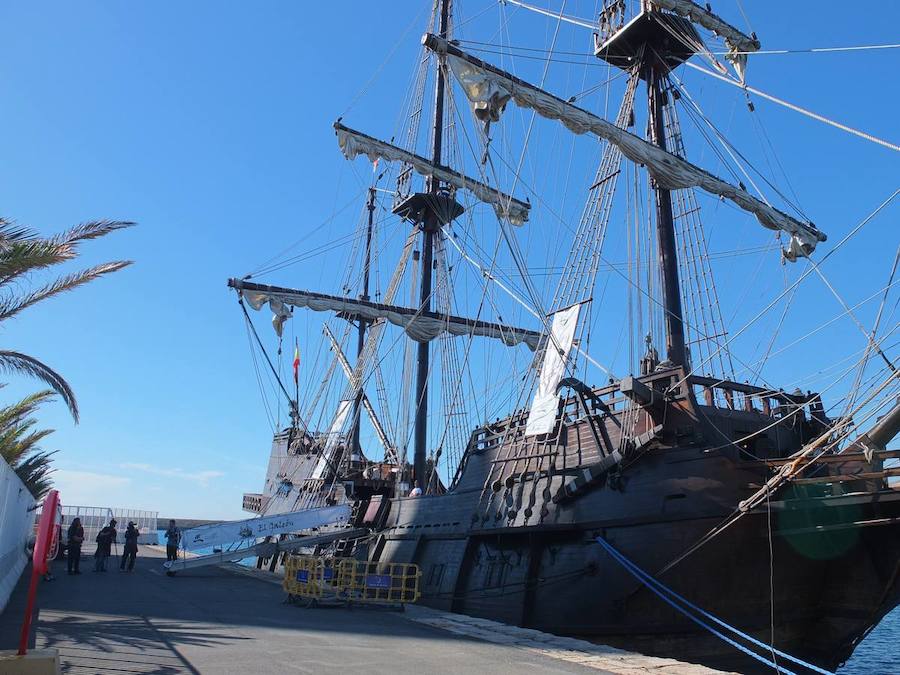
(230, 620)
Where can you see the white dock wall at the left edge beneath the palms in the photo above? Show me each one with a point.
(16, 522)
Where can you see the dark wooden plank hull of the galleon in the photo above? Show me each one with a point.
(497, 544)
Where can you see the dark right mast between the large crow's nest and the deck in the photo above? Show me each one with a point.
(665, 225)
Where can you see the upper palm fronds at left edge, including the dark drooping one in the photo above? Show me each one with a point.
(23, 252)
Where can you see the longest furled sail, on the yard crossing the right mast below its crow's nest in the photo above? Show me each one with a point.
(489, 89)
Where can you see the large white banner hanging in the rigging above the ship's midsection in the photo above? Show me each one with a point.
(542, 417)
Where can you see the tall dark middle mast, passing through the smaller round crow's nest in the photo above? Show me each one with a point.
(430, 225)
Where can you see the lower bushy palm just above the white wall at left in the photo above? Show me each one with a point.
(19, 443)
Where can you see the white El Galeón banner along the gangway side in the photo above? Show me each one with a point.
(248, 531)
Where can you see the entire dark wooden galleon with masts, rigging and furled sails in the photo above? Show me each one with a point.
(469, 409)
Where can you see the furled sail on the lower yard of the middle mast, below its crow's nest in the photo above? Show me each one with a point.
(420, 326)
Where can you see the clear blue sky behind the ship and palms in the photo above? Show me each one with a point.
(210, 125)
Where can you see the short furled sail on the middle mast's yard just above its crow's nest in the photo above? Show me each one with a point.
(354, 143)
